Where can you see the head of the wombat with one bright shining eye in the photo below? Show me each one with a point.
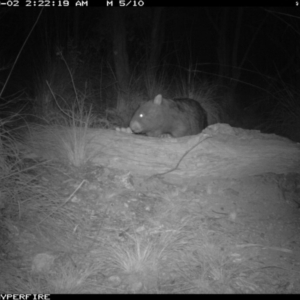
(148, 117)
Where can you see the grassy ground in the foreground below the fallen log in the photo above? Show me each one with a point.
(96, 229)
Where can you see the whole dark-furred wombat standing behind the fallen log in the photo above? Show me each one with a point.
(176, 117)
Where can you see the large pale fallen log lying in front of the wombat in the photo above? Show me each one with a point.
(220, 151)
